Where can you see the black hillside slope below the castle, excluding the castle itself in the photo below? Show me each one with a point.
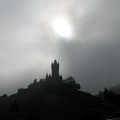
(54, 106)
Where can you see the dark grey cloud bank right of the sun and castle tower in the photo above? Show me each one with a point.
(93, 58)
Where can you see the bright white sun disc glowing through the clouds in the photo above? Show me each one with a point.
(62, 27)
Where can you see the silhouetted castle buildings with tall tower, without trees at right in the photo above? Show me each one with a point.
(52, 80)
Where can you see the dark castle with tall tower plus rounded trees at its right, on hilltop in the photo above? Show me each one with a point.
(52, 82)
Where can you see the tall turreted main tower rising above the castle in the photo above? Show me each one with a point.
(55, 69)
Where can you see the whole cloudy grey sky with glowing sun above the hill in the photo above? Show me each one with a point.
(29, 42)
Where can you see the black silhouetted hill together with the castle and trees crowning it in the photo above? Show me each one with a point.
(54, 98)
